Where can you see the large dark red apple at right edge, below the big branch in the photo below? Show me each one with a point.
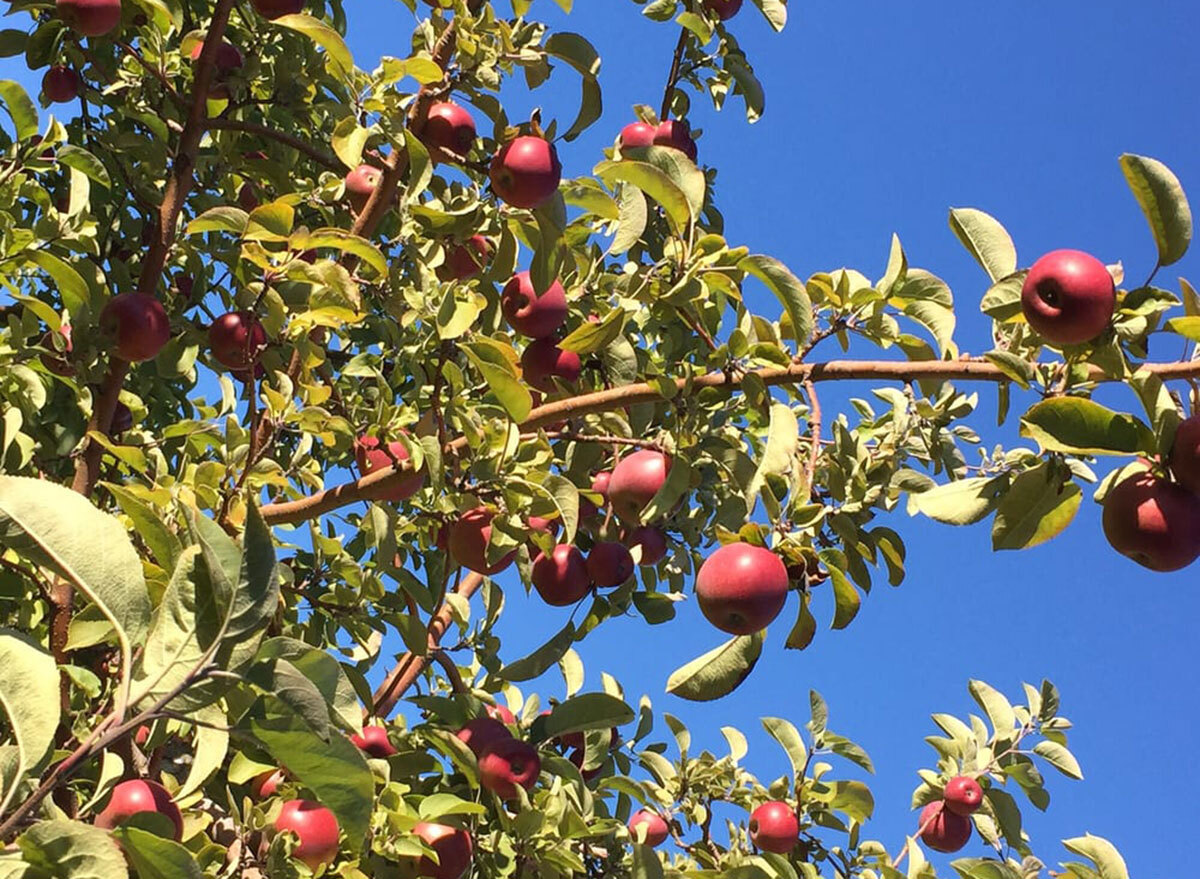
(1155, 523)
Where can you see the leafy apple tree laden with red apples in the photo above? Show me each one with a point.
(301, 356)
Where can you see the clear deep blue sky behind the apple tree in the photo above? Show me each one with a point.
(881, 117)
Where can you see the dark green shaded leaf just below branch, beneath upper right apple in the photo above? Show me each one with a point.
(1082, 427)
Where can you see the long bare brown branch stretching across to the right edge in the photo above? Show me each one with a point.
(974, 370)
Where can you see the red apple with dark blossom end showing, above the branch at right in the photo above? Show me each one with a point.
(1069, 297)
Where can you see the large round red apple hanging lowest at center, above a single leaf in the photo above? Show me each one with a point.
(742, 588)
